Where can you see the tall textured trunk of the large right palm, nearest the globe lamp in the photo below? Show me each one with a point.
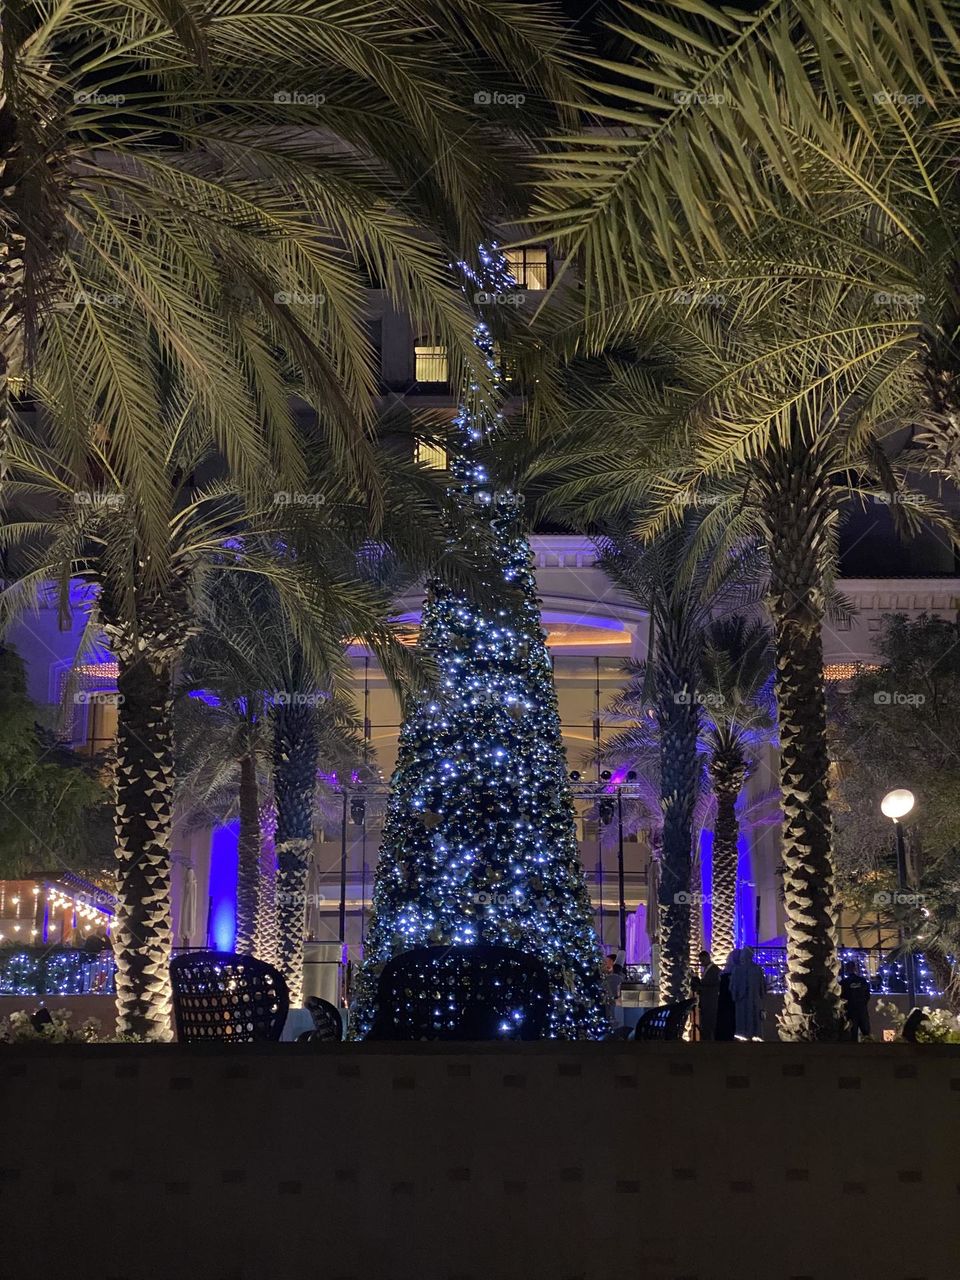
(799, 516)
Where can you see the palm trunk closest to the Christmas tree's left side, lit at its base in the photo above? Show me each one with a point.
(295, 781)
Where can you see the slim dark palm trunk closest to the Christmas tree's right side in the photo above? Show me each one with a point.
(679, 719)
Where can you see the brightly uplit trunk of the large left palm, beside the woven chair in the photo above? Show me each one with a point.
(143, 932)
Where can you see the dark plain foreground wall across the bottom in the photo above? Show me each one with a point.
(488, 1163)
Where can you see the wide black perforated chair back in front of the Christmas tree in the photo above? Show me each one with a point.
(463, 994)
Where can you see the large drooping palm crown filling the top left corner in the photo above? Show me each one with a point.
(175, 184)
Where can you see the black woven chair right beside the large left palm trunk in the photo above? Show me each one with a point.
(220, 996)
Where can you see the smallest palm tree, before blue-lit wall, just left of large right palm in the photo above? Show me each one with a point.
(739, 714)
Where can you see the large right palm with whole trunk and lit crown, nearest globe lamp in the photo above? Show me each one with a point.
(787, 414)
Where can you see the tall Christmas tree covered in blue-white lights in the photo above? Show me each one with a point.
(479, 844)
